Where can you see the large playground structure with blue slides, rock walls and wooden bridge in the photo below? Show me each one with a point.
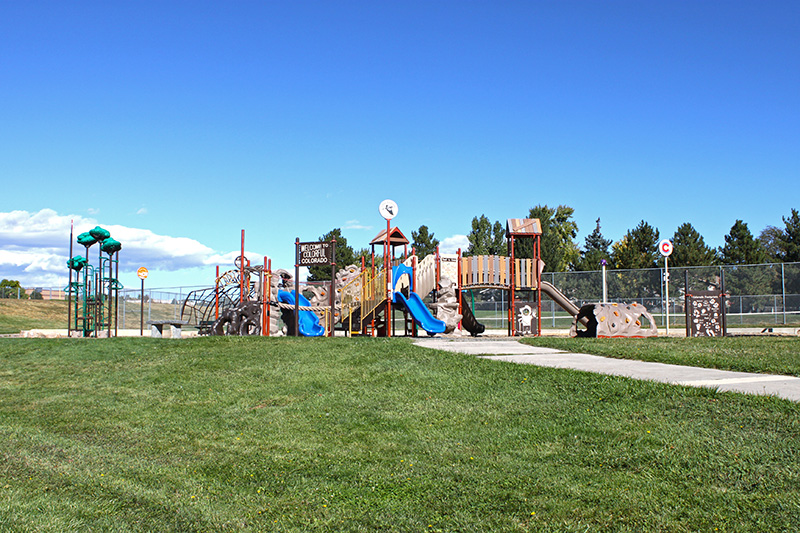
(364, 300)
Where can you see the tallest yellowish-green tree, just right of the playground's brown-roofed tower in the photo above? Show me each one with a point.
(558, 247)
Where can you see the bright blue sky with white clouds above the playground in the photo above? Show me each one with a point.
(181, 123)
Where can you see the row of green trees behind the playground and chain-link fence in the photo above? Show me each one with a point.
(637, 249)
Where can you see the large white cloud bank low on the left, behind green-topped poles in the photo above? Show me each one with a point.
(34, 248)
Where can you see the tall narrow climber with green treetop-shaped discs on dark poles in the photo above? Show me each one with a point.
(93, 297)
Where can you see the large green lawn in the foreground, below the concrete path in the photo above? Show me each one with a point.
(286, 434)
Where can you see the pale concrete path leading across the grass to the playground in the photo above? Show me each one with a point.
(786, 387)
